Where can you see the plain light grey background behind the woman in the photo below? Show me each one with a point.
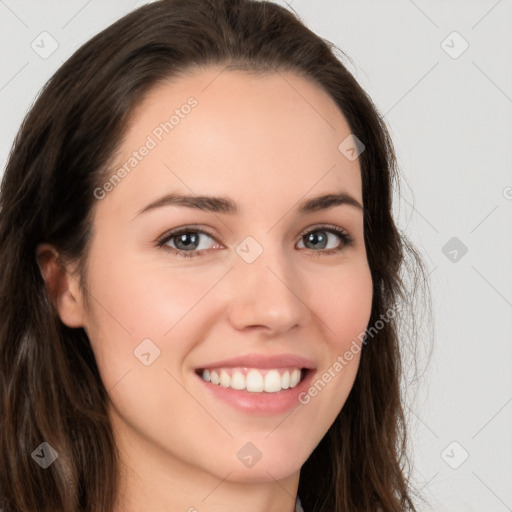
(450, 118)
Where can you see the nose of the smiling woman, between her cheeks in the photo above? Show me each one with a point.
(266, 294)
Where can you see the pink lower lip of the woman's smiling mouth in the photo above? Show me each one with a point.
(261, 403)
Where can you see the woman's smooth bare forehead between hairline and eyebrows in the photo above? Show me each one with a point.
(214, 130)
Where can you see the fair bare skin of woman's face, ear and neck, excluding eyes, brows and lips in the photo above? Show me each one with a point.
(267, 142)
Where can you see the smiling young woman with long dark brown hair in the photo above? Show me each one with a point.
(201, 276)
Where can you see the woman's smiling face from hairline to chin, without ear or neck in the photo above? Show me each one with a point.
(255, 292)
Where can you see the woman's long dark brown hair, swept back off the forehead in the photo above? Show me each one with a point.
(50, 386)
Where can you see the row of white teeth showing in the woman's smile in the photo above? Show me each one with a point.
(254, 381)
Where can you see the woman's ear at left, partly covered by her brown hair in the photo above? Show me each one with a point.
(62, 286)
